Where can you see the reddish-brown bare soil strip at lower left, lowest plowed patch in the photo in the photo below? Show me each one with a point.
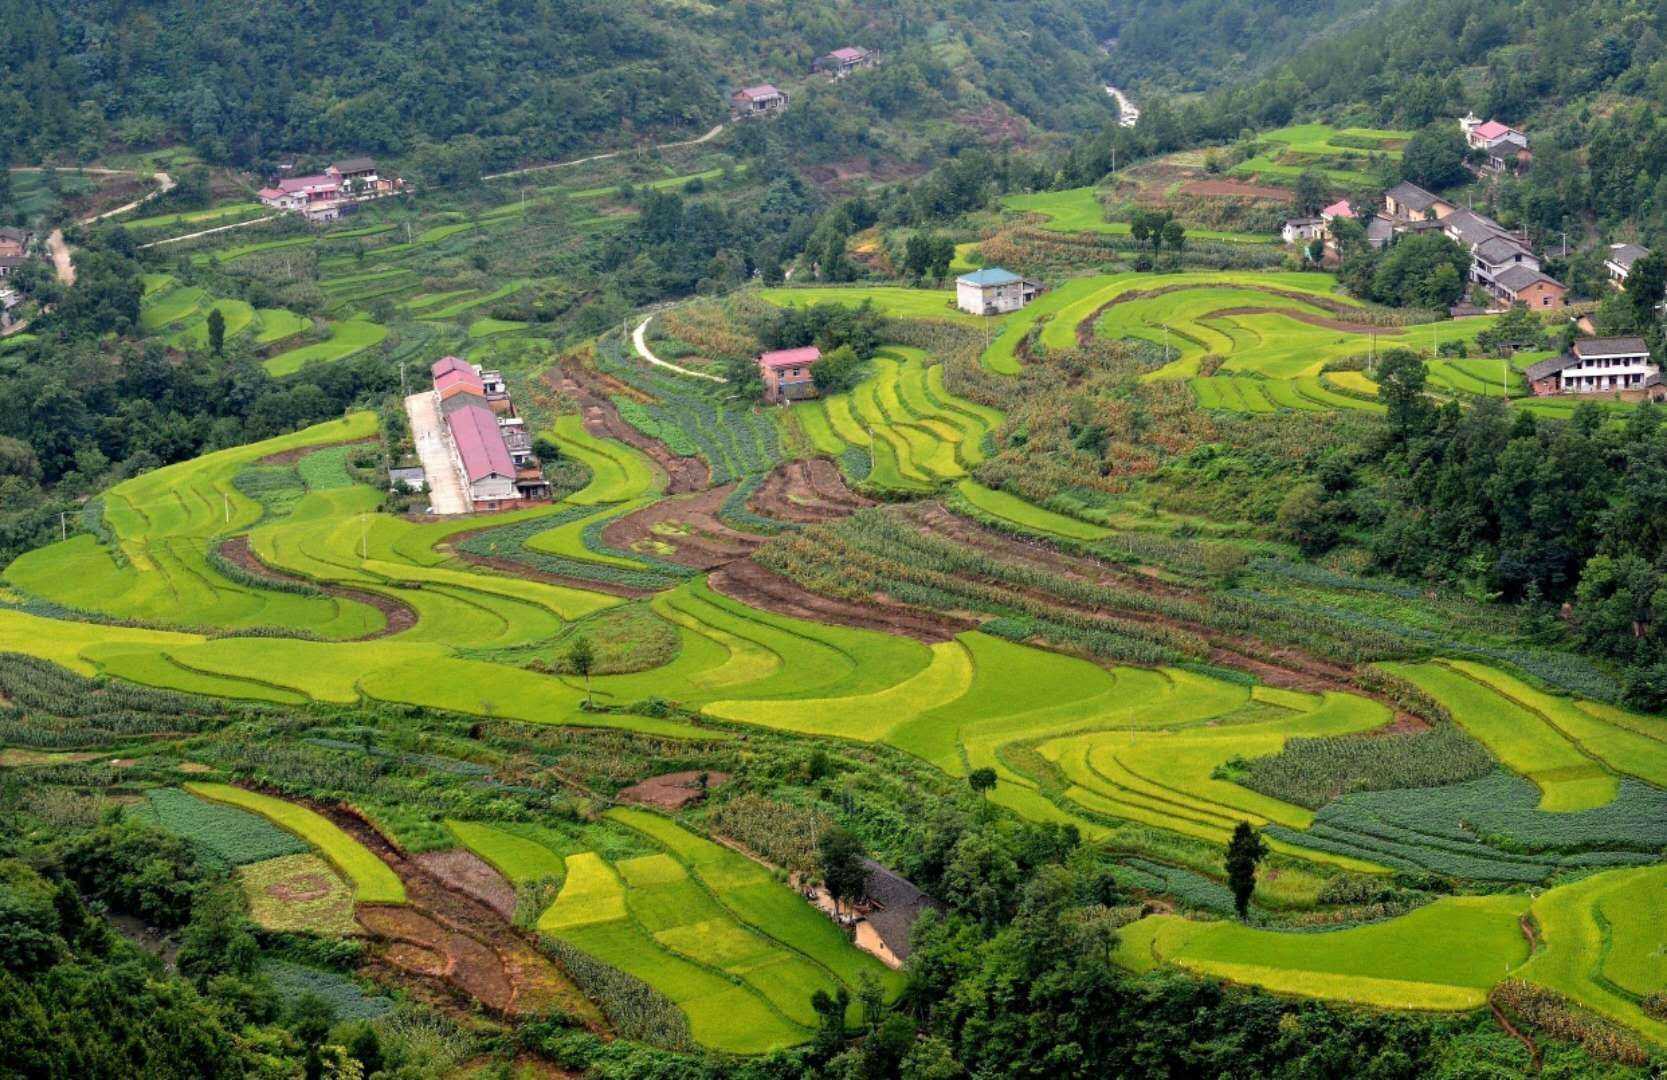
(484, 957)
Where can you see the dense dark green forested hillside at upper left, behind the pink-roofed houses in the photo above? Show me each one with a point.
(501, 81)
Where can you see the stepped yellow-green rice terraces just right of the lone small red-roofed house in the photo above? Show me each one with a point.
(919, 434)
